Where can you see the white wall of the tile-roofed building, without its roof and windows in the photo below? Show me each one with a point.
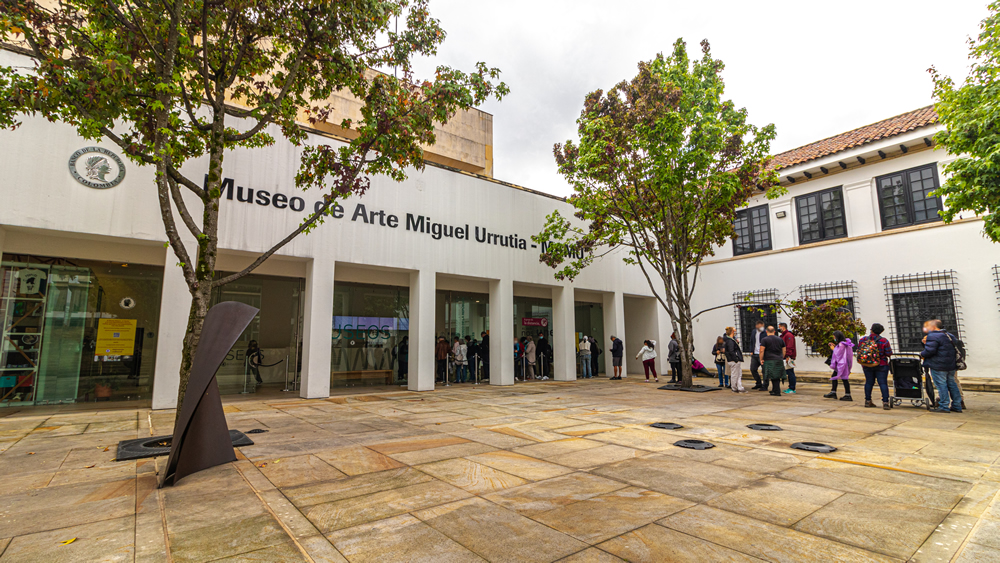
(865, 257)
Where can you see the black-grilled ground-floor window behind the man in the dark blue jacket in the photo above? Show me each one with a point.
(914, 298)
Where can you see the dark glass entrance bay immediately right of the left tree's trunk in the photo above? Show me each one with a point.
(276, 334)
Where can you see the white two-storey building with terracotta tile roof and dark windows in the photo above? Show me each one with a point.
(858, 222)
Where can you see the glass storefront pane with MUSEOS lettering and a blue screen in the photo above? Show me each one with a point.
(370, 336)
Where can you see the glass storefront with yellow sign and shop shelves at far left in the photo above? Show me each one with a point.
(77, 330)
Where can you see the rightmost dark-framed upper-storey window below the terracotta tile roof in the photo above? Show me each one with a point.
(905, 197)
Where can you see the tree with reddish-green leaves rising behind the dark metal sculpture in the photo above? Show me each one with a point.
(174, 80)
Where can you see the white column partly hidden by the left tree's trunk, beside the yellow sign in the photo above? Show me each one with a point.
(175, 307)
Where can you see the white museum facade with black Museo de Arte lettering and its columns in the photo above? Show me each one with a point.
(46, 212)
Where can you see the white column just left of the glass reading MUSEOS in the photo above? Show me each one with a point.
(317, 328)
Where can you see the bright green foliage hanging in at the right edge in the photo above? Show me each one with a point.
(971, 115)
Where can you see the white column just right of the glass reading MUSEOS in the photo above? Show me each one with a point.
(423, 285)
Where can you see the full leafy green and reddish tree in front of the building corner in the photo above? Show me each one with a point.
(662, 165)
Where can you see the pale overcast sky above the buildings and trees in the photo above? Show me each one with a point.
(812, 68)
